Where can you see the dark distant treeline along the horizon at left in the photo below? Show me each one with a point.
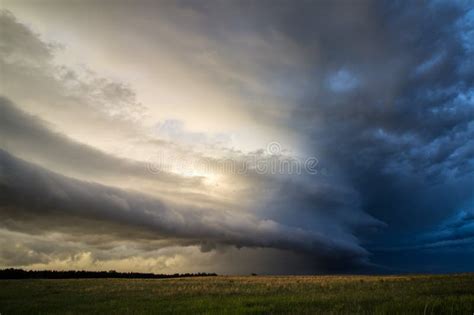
(73, 274)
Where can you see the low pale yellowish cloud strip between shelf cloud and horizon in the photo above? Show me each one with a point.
(56, 251)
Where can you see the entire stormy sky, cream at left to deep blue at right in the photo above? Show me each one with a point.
(237, 136)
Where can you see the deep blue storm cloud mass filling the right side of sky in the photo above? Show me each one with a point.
(406, 147)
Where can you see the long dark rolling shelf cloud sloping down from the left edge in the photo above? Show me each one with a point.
(30, 193)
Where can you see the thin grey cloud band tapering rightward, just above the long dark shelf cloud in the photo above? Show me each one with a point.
(29, 137)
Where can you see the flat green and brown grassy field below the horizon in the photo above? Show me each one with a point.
(443, 294)
